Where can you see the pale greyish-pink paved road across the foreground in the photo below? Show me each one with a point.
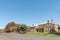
(14, 36)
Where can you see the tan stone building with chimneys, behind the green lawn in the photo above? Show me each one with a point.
(49, 26)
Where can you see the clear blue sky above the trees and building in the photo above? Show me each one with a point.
(29, 11)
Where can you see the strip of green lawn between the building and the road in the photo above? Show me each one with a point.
(42, 34)
